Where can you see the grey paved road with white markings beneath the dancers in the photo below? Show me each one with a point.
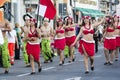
(69, 71)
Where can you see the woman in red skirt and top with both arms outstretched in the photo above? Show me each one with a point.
(87, 42)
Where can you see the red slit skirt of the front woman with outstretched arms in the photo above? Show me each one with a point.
(89, 48)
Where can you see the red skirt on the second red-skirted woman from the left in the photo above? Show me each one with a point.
(60, 44)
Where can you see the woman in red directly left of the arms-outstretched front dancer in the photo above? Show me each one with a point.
(70, 37)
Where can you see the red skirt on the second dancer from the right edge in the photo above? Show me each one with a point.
(110, 44)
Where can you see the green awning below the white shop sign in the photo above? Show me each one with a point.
(91, 12)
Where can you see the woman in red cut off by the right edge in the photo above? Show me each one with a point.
(117, 34)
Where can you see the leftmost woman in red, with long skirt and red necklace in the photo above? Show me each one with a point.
(33, 45)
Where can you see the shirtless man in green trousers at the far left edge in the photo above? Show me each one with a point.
(5, 26)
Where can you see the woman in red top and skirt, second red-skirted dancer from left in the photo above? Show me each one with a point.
(60, 40)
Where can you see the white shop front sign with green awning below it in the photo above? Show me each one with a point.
(88, 7)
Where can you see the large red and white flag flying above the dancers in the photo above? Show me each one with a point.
(46, 9)
